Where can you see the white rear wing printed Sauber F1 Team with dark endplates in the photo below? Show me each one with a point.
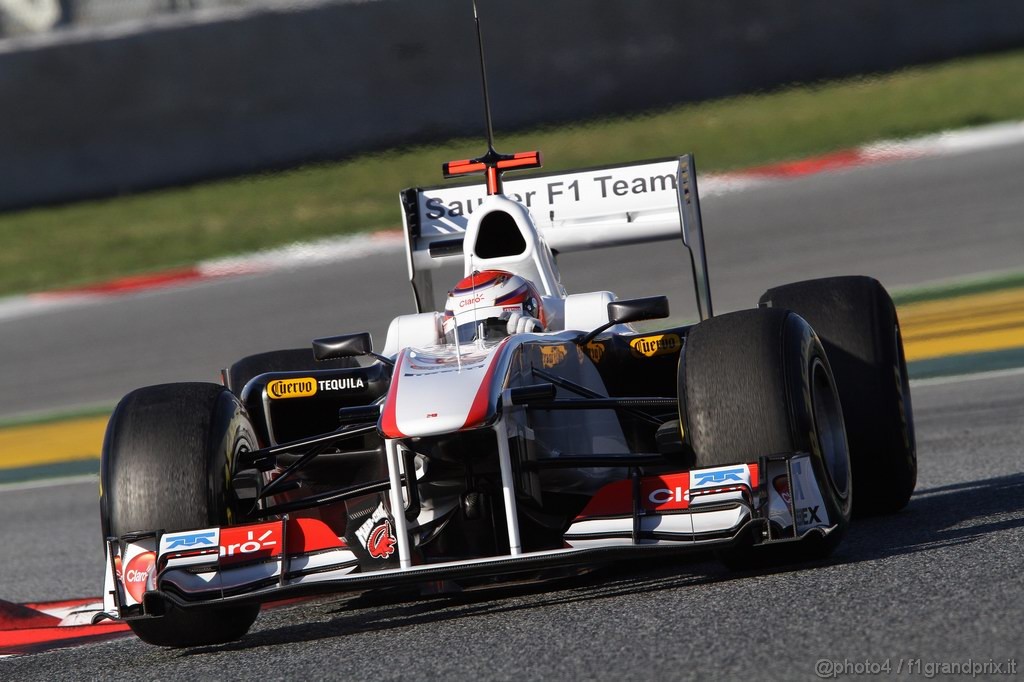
(648, 201)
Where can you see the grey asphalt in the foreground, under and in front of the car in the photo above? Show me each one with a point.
(940, 583)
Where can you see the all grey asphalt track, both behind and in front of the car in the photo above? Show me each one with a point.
(940, 583)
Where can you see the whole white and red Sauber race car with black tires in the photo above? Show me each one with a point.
(514, 431)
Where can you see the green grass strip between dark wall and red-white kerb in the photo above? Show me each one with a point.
(94, 241)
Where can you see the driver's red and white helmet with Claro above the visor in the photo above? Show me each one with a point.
(480, 307)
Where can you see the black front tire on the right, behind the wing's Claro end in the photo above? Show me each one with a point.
(758, 382)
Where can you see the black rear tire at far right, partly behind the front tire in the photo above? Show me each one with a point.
(857, 321)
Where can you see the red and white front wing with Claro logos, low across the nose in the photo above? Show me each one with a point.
(774, 501)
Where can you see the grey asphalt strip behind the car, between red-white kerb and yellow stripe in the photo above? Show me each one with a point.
(904, 223)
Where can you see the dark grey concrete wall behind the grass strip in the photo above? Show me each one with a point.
(95, 115)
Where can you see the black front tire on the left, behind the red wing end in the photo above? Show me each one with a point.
(166, 465)
